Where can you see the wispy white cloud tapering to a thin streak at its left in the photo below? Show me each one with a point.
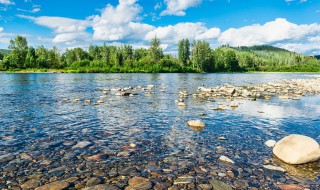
(66, 29)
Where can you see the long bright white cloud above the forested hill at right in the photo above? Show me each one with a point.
(271, 32)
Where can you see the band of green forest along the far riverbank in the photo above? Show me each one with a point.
(192, 57)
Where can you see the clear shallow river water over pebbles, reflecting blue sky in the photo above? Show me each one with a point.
(35, 122)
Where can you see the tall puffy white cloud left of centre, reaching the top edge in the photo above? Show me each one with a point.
(119, 22)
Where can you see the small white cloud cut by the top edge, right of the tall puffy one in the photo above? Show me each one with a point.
(178, 7)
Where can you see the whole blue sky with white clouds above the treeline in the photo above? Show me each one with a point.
(289, 24)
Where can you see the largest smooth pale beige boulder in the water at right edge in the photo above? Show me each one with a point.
(297, 149)
